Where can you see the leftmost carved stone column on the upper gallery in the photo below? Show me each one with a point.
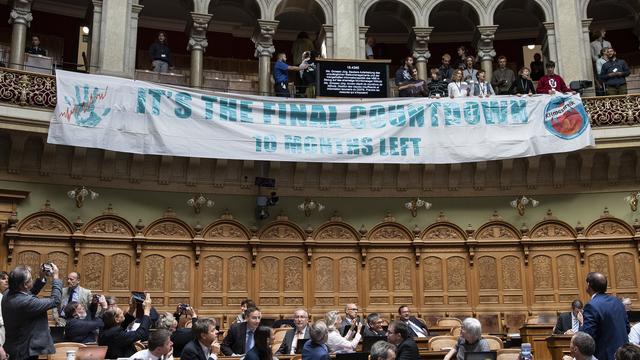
(20, 17)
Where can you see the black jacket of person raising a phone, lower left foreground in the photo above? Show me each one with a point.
(120, 341)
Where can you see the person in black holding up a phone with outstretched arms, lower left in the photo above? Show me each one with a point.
(116, 337)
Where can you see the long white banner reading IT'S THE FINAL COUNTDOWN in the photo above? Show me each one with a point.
(147, 118)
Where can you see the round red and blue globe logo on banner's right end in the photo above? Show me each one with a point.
(565, 117)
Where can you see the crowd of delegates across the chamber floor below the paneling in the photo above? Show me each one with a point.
(600, 328)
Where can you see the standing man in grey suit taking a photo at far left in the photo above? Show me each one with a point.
(25, 315)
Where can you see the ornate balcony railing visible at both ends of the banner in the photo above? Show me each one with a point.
(39, 90)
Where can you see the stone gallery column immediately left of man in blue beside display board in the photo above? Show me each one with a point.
(263, 38)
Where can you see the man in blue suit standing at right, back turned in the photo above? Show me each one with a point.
(604, 318)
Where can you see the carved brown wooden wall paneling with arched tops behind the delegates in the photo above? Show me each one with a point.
(497, 273)
